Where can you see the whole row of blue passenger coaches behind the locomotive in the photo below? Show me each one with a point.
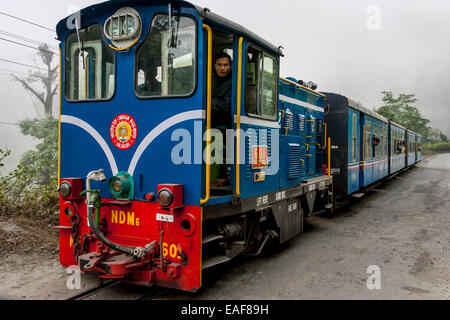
(367, 147)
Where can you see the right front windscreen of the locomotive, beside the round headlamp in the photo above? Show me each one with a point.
(165, 62)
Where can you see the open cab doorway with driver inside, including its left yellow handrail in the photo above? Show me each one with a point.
(221, 77)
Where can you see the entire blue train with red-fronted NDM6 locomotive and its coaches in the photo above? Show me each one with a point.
(135, 131)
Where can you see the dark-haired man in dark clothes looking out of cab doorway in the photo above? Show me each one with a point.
(221, 91)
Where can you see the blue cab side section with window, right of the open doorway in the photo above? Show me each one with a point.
(256, 121)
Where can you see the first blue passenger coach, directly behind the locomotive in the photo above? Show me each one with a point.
(359, 144)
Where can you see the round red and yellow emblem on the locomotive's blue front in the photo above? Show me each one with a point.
(123, 131)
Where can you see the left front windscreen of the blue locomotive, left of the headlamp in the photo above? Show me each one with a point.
(90, 66)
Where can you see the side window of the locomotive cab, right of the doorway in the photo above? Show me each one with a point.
(262, 84)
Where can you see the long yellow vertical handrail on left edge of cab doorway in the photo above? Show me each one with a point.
(208, 119)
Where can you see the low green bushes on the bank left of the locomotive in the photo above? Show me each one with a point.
(31, 189)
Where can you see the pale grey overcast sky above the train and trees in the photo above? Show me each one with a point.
(357, 48)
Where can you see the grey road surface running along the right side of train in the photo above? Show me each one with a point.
(401, 228)
